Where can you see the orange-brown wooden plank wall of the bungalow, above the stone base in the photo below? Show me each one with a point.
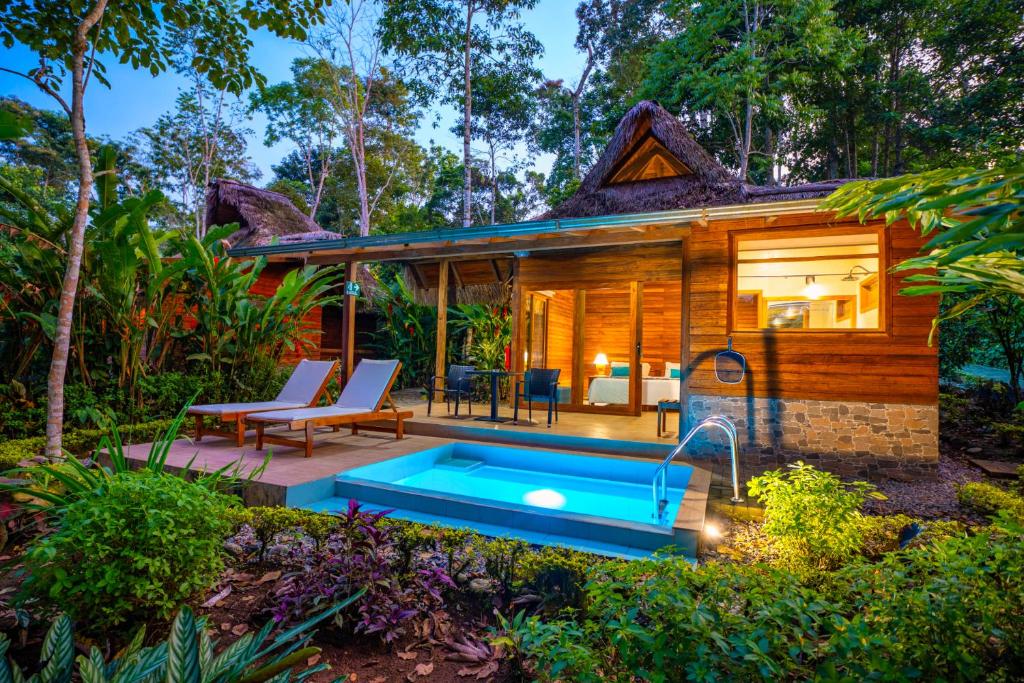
(894, 365)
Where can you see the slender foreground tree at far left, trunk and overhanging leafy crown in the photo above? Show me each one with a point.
(70, 36)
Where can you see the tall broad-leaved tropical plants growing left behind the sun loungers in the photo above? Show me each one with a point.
(154, 301)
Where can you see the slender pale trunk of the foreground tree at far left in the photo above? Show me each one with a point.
(69, 289)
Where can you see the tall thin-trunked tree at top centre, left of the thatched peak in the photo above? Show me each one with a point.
(445, 39)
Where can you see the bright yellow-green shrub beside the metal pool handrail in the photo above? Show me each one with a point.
(813, 518)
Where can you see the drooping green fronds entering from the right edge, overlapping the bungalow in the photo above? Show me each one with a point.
(974, 259)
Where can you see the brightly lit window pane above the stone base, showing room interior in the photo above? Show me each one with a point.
(825, 282)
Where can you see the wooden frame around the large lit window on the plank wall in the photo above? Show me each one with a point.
(884, 329)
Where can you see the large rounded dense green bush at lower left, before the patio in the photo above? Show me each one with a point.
(138, 548)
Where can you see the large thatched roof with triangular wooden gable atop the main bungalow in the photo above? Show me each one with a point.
(654, 164)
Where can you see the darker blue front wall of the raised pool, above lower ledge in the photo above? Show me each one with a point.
(517, 521)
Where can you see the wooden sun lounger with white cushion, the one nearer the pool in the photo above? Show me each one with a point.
(362, 401)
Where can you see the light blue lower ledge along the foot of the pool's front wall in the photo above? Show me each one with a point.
(336, 505)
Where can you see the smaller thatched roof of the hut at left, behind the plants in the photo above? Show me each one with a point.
(262, 216)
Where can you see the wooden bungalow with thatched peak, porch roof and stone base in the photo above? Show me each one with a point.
(633, 285)
